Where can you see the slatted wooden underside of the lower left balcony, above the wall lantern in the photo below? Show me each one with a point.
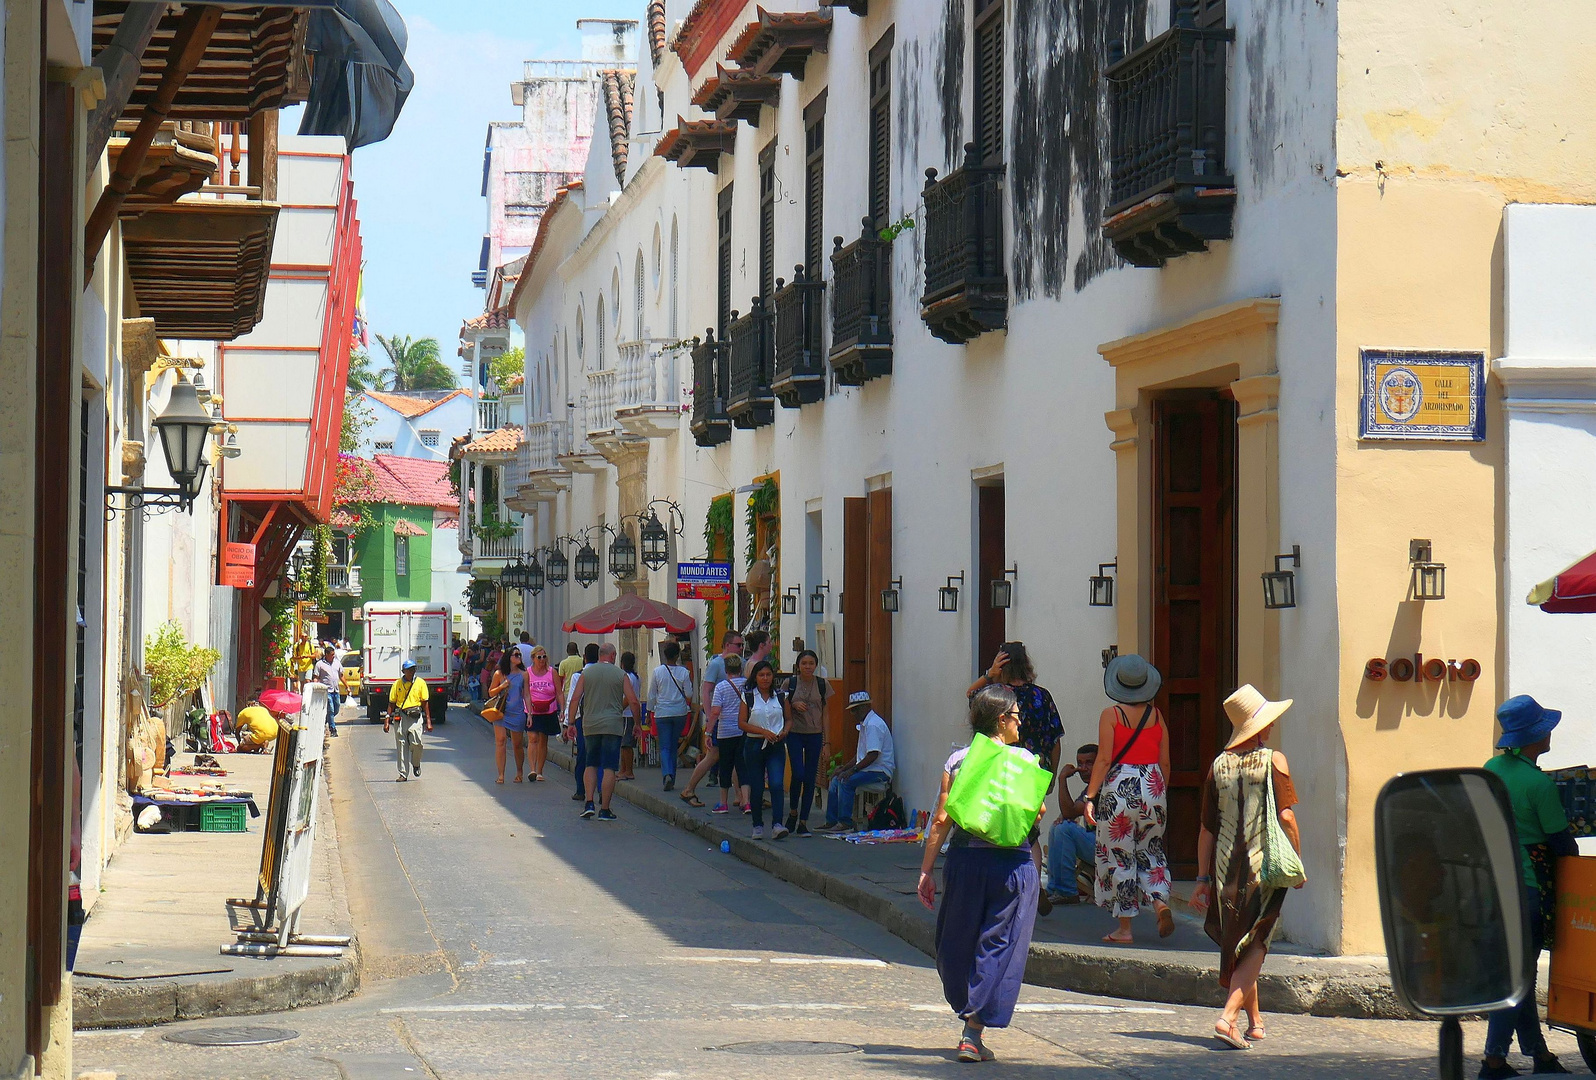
(200, 267)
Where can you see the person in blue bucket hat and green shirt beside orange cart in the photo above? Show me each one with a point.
(1544, 835)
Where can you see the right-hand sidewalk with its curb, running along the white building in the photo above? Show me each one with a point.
(1067, 953)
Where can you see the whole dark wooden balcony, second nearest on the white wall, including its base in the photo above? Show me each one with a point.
(966, 282)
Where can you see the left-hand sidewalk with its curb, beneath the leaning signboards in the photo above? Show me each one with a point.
(152, 947)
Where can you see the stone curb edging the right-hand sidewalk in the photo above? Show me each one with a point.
(1321, 987)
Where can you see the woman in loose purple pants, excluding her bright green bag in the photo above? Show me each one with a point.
(989, 904)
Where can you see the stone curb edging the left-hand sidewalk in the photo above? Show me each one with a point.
(151, 1003)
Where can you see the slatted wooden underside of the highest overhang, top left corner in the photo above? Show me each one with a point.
(255, 61)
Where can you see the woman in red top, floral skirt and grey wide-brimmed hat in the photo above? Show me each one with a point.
(1132, 781)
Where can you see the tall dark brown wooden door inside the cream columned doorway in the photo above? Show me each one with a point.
(1195, 601)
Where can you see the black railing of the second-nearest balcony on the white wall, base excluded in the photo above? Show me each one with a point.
(963, 229)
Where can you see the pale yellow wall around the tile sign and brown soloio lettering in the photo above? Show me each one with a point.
(1447, 114)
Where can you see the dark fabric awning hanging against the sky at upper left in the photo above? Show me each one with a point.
(360, 79)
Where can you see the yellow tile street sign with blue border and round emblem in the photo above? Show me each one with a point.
(1421, 395)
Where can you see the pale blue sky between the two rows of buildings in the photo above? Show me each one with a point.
(419, 192)
